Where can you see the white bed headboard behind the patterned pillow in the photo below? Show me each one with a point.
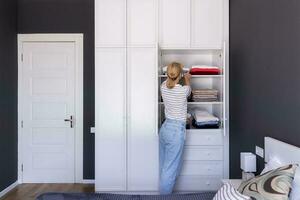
(285, 152)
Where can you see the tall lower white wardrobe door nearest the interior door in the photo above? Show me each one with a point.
(110, 123)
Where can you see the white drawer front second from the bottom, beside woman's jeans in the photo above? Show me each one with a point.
(202, 168)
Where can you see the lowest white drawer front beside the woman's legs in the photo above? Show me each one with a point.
(198, 183)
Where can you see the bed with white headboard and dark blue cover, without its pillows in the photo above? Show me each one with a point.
(286, 153)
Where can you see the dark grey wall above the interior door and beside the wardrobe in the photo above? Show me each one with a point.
(68, 16)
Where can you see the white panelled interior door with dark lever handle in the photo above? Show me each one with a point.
(48, 99)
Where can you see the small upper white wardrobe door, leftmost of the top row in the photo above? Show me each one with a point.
(110, 23)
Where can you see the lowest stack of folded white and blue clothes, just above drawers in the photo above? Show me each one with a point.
(203, 119)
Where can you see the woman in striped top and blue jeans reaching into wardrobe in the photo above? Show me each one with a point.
(172, 132)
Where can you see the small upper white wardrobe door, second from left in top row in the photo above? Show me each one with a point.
(142, 22)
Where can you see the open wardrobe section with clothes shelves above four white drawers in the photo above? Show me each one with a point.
(205, 152)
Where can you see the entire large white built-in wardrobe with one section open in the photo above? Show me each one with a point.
(135, 40)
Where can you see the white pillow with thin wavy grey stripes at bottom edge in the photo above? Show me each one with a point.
(228, 192)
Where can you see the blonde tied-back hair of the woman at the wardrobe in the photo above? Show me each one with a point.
(174, 71)
